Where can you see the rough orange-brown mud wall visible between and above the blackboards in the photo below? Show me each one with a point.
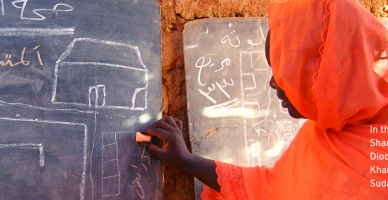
(175, 13)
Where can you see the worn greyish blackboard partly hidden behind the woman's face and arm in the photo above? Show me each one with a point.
(234, 116)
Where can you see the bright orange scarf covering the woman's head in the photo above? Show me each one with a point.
(329, 57)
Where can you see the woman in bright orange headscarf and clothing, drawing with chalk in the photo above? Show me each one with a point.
(330, 66)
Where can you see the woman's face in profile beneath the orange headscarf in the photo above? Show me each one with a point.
(281, 94)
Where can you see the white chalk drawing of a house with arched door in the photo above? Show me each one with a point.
(101, 74)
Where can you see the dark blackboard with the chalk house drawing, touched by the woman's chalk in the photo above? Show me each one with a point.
(77, 80)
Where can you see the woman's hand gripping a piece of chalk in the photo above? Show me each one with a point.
(174, 152)
